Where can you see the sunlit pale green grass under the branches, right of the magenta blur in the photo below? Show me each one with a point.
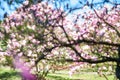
(79, 76)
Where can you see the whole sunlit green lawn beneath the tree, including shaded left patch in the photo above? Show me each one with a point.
(8, 74)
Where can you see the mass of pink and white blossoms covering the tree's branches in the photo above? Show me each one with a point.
(35, 30)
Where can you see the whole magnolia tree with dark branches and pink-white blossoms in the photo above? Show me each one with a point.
(40, 34)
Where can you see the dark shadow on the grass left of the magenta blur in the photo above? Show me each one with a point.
(7, 75)
